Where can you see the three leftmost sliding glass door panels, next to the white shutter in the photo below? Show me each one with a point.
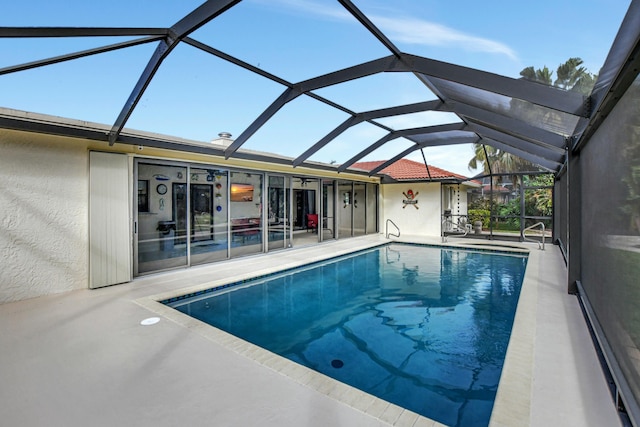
(192, 214)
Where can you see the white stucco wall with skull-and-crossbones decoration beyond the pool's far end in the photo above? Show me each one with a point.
(424, 221)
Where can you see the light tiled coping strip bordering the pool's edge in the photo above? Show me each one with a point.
(509, 407)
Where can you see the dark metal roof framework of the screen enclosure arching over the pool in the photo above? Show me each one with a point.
(535, 122)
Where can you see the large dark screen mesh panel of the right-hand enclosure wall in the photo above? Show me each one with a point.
(610, 191)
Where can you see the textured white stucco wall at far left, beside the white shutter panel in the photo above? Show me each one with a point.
(43, 215)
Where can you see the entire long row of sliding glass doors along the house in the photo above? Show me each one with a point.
(189, 214)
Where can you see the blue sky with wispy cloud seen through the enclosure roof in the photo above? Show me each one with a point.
(195, 95)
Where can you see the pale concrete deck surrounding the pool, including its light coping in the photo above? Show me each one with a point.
(83, 358)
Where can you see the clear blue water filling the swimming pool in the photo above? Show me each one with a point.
(423, 327)
